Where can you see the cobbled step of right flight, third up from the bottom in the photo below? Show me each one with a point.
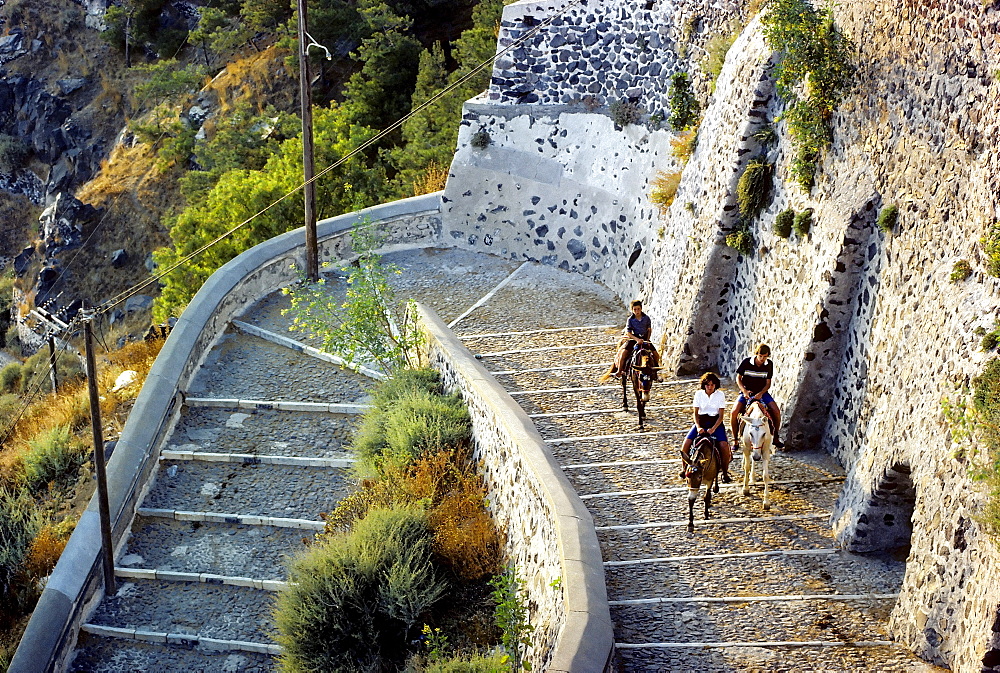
(817, 573)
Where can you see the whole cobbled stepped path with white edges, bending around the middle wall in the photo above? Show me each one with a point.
(238, 490)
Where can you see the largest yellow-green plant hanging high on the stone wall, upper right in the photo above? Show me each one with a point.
(812, 76)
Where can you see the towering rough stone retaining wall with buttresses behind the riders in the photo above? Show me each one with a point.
(868, 331)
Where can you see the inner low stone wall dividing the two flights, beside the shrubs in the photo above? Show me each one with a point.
(550, 534)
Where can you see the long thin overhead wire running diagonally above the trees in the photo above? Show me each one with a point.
(114, 301)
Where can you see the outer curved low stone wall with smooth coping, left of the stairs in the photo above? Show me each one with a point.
(76, 583)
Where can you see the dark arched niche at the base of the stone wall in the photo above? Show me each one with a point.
(885, 523)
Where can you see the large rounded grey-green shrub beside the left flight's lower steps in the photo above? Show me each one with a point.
(353, 600)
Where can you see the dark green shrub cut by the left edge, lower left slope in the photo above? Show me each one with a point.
(19, 523)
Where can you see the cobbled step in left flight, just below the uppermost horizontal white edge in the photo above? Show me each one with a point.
(281, 433)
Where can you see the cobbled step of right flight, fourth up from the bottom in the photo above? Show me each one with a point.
(752, 536)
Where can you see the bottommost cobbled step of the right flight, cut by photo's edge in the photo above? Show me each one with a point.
(762, 655)
